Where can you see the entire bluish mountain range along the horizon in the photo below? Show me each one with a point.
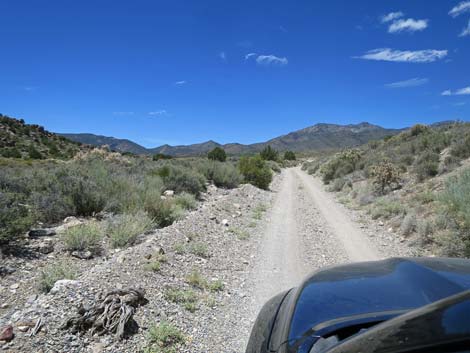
(316, 137)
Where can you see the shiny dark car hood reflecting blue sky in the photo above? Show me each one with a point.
(395, 286)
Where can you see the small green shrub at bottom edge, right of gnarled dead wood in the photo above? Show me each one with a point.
(163, 338)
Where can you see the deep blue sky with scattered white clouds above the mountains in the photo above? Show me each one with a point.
(182, 72)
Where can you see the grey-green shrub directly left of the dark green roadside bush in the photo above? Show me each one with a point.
(224, 175)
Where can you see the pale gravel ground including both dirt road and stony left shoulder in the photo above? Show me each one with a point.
(257, 243)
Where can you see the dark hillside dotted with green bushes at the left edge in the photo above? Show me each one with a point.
(21, 140)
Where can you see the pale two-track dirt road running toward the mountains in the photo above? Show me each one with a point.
(306, 230)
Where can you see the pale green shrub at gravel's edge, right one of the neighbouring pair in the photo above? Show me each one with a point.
(124, 229)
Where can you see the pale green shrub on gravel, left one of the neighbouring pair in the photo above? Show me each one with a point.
(86, 236)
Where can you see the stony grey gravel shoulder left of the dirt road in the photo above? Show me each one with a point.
(214, 241)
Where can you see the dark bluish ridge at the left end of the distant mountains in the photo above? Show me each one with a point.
(120, 145)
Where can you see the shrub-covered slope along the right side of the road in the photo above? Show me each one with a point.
(417, 183)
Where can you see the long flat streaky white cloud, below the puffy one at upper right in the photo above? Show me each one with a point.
(418, 56)
